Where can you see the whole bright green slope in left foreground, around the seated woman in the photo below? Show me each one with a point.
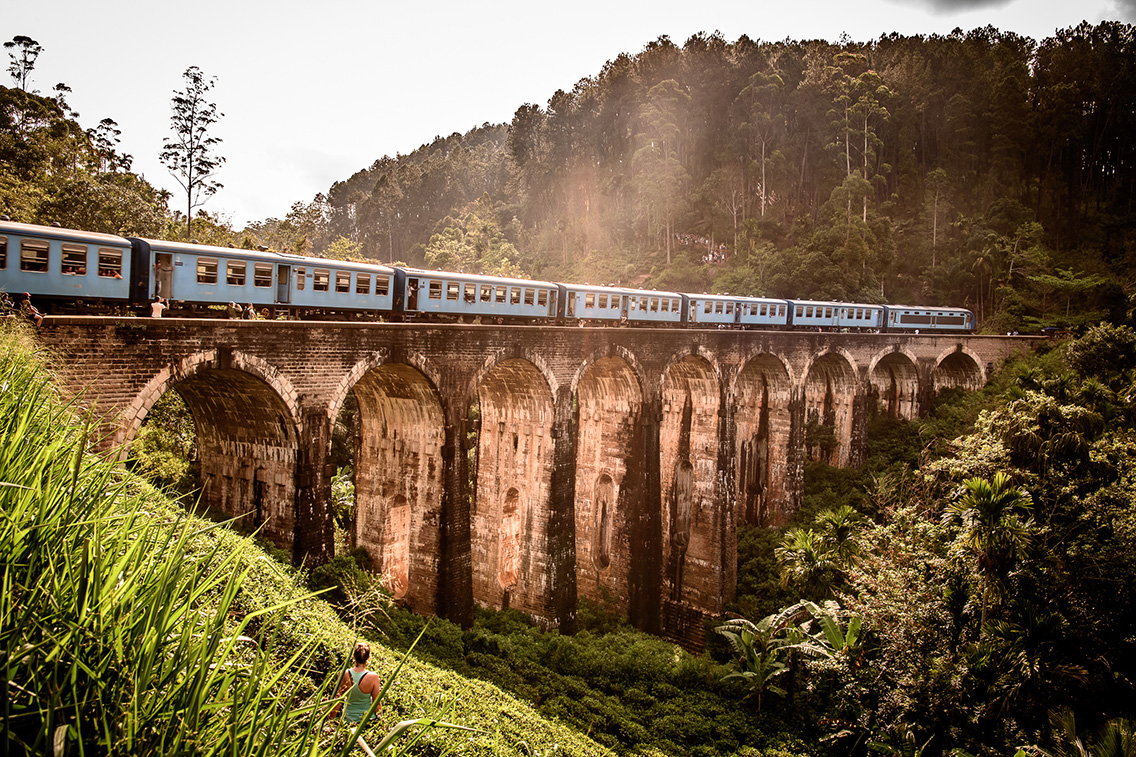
(130, 627)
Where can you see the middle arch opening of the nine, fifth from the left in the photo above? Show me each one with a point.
(689, 464)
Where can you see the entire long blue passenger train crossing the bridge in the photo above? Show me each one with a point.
(76, 272)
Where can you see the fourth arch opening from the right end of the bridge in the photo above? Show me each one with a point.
(763, 425)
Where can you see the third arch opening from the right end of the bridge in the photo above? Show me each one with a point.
(830, 396)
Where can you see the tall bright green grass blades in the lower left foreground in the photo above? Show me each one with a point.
(115, 638)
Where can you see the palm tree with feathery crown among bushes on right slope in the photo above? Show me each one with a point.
(993, 528)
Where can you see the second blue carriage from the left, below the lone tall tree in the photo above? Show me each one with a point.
(202, 278)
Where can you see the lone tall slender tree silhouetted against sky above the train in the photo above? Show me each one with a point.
(189, 155)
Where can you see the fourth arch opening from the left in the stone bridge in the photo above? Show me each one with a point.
(609, 490)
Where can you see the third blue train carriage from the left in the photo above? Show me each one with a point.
(470, 297)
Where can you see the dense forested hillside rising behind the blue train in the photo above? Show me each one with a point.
(981, 169)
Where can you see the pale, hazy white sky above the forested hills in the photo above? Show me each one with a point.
(313, 93)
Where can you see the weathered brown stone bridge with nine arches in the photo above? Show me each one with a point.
(522, 468)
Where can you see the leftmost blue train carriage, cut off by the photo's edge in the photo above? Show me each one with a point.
(68, 271)
